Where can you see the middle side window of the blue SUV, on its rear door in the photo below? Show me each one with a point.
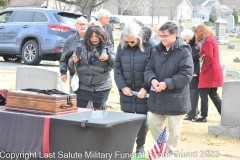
(22, 16)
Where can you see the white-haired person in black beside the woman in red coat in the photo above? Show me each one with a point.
(187, 35)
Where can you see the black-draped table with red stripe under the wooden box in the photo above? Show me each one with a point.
(70, 136)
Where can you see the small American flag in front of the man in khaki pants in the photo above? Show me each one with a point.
(160, 147)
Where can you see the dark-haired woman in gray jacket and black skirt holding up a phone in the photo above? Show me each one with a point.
(93, 67)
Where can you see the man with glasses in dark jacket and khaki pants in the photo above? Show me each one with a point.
(169, 71)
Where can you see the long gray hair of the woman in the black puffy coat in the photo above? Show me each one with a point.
(134, 30)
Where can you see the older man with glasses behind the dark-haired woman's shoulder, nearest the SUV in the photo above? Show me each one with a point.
(70, 46)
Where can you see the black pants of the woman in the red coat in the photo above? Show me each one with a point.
(212, 92)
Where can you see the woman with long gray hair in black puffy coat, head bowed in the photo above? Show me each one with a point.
(132, 56)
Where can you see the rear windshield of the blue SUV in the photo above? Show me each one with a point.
(67, 18)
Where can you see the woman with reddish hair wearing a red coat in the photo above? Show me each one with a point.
(210, 77)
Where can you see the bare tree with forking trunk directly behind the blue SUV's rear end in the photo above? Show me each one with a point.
(86, 5)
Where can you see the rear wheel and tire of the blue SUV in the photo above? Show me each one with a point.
(30, 53)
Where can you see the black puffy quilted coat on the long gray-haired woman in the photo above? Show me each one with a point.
(129, 69)
